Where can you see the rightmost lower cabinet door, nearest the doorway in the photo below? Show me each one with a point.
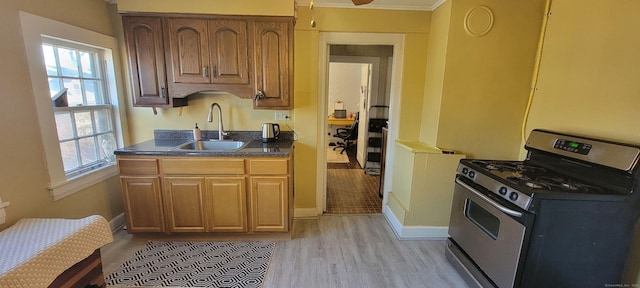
(269, 204)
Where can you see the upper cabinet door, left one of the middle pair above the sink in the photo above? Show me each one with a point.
(188, 50)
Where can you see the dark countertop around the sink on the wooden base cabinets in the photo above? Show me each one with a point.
(168, 147)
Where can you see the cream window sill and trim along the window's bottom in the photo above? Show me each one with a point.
(81, 182)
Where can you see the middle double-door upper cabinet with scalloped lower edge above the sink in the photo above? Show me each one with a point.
(209, 54)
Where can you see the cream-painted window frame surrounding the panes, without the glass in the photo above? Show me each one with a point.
(33, 28)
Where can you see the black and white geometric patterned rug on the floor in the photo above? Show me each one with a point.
(195, 264)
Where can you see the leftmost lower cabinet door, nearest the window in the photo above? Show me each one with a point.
(142, 204)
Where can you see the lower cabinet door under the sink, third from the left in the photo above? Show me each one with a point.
(226, 202)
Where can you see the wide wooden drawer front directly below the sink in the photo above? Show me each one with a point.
(203, 166)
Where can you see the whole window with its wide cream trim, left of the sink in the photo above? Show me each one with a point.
(77, 99)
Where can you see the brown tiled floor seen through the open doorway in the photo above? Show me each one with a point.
(350, 190)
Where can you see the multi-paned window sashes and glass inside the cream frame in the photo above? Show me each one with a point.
(81, 106)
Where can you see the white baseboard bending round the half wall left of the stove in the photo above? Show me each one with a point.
(414, 232)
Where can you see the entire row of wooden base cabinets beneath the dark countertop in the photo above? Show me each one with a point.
(206, 194)
